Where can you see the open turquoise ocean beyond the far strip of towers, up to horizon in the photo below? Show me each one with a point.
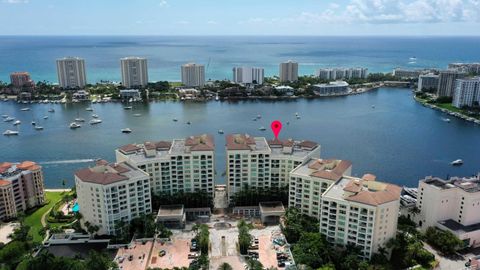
(165, 54)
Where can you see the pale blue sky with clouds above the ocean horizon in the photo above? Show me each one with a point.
(246, 17)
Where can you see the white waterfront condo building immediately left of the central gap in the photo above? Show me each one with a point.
(181, 165)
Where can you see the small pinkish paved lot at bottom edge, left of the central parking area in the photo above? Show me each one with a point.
(134, 257)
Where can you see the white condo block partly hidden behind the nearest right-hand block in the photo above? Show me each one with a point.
(310, 180)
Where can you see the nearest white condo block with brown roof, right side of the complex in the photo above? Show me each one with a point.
(360, 212)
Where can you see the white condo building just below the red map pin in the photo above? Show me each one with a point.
(259, 163)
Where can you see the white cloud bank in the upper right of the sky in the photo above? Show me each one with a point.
(386, 12)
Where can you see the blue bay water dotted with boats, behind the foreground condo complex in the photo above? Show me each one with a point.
(398, 140)
